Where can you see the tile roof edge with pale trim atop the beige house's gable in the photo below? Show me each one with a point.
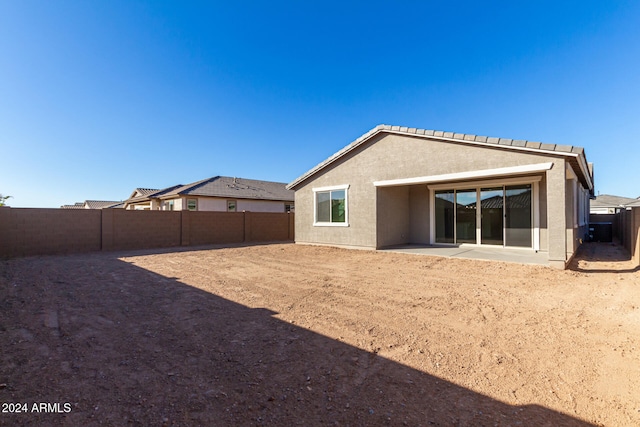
(517, 144)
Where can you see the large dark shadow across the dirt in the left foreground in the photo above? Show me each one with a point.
(125, 346)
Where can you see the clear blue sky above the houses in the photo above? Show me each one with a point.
(100, 97)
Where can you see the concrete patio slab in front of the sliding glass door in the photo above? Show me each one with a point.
(520, 256)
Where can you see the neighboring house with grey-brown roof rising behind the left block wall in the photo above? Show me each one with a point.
(219, 193)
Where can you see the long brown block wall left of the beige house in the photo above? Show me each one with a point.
(26, 231)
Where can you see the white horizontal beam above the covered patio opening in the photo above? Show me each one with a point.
(484, 173)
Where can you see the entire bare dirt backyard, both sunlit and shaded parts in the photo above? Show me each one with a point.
(297, 335)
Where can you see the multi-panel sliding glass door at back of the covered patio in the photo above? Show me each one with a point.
(504, 216)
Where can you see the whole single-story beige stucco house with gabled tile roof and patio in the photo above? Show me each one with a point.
(397, 185)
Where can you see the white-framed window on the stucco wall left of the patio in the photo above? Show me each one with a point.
(331, 206)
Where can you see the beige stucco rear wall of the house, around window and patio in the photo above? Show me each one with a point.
(390, 156)
